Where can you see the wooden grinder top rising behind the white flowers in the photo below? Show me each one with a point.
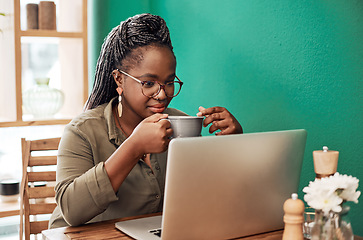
(325, 162)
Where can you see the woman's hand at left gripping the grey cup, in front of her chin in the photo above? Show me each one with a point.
(152, 135)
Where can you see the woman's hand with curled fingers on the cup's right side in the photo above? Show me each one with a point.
(221, 119)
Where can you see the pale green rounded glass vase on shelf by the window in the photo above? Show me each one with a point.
(41, 100)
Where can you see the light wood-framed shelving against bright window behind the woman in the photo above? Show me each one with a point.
(60, 55)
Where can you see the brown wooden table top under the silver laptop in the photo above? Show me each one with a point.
(107, 230)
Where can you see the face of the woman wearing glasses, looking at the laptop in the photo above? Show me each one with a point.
(158, 64)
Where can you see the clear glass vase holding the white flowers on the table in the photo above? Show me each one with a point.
(332, 226)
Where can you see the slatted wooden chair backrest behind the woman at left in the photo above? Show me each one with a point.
(37, 193)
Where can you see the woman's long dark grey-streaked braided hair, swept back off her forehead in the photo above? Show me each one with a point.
(120, 50)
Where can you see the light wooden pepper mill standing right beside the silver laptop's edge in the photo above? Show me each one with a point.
(293, 218)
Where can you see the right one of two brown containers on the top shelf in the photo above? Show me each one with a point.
(47, 15)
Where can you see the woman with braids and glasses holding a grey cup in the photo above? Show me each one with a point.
(112, 158)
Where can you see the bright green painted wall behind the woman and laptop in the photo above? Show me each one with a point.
(276, 65)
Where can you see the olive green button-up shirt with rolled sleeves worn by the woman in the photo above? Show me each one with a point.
(83, 190)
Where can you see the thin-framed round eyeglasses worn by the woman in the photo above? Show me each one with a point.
(152, 88)
